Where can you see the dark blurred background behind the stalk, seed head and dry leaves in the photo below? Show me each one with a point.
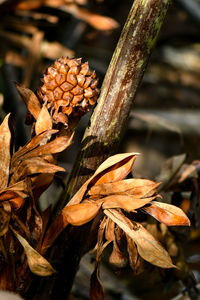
(164, 124)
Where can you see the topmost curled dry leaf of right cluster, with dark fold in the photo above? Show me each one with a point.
(120, 164)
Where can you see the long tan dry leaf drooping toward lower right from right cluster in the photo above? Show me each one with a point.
(148, 247)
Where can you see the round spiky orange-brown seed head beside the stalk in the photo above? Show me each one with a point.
(69, 88)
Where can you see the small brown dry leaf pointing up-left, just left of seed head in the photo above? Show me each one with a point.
(30, 99)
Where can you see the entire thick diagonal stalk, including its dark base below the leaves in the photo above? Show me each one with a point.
(106, 128)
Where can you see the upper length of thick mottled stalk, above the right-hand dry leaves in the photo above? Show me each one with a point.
(123, 77)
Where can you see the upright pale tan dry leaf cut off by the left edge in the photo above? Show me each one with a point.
(5, 139)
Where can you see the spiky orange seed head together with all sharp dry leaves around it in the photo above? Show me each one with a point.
(107, 198)
